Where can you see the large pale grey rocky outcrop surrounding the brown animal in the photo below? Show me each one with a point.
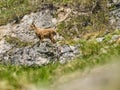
(20, 46)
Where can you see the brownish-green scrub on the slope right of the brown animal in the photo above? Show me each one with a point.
(95, 18)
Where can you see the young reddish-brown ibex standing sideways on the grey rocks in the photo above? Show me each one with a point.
(44, 33)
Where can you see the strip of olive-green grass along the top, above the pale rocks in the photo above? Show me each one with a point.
(11, 10)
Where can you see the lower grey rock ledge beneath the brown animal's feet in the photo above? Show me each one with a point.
(38, 54)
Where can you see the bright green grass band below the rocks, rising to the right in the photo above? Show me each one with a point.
(93, 54)
